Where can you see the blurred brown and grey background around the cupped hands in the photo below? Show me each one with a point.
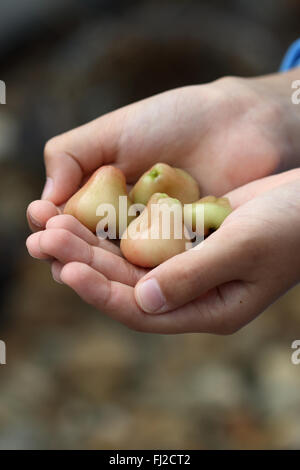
(75, 379)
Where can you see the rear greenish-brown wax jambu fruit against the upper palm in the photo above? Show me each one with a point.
(162, 178)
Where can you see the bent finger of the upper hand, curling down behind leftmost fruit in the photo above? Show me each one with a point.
(74, 154)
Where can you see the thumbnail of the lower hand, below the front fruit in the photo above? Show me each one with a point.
(149, 296)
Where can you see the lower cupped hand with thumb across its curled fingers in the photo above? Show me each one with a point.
(217, 288)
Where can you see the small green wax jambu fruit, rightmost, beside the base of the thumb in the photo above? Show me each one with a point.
(215, 210)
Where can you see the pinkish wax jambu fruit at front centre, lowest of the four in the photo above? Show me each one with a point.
(151, 238)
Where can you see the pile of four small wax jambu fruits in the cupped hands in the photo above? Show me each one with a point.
(157, 220)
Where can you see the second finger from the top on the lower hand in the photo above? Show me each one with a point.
(67, 247)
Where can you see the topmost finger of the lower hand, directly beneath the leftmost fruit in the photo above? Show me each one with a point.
(68, 222)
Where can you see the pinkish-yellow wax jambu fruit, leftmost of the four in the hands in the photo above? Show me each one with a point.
(104, 187)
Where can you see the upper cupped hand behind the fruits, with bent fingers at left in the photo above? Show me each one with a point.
(225, 133)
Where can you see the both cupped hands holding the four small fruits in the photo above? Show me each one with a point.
(212, 126)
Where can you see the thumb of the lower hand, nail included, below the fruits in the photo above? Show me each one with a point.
(185, 277)
